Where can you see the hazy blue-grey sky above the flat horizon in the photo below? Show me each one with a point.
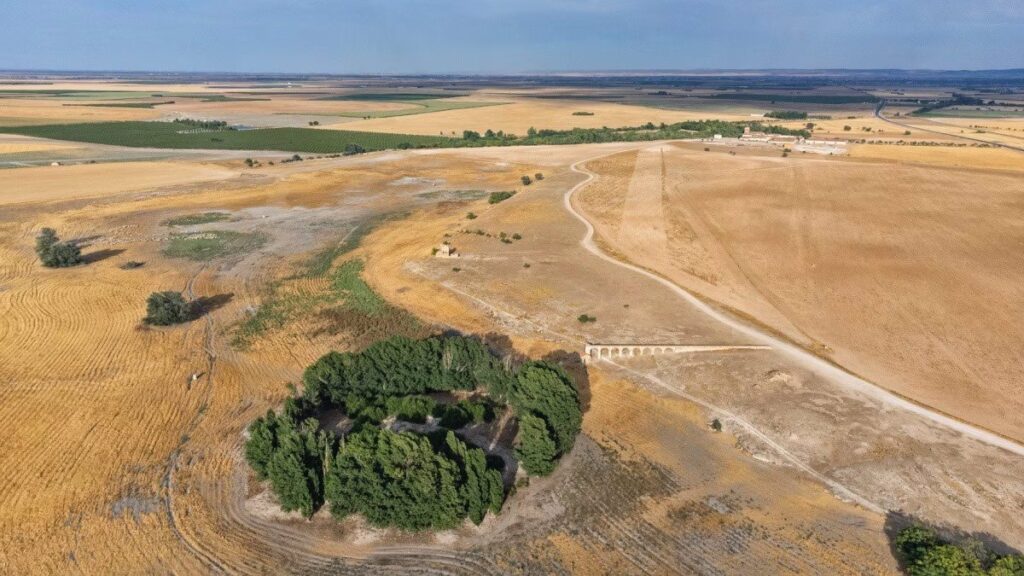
(507, 36)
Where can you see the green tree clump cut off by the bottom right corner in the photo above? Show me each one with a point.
(925, 554)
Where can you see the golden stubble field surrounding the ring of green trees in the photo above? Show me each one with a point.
(150, 478)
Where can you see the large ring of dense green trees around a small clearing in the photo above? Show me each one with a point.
(410, 480)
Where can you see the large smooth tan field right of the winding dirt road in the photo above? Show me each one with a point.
(902, 273)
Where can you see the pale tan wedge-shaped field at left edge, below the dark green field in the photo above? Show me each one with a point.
(49, 184)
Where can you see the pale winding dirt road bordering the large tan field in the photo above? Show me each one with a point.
(792, 352)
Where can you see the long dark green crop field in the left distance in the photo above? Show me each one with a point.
(167, 135)
